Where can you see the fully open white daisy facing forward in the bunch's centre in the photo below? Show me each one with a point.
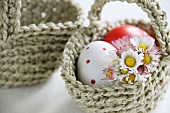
(131, 60)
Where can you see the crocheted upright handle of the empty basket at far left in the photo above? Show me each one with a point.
(9, 18)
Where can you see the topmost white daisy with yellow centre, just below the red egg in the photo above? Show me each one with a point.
(142, 43)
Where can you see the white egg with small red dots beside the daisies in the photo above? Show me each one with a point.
(90, 63)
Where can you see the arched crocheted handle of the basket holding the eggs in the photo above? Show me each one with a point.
(155, 14)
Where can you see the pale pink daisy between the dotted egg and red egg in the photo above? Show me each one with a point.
(122, 44)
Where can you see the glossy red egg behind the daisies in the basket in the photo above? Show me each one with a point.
(125, 30)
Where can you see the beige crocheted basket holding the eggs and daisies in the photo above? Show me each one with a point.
(141, 97)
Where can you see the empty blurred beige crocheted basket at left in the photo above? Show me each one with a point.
(33, 34)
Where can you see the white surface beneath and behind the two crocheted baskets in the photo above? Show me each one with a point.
(51, 96)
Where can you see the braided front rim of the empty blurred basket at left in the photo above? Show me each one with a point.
(68, 25)
